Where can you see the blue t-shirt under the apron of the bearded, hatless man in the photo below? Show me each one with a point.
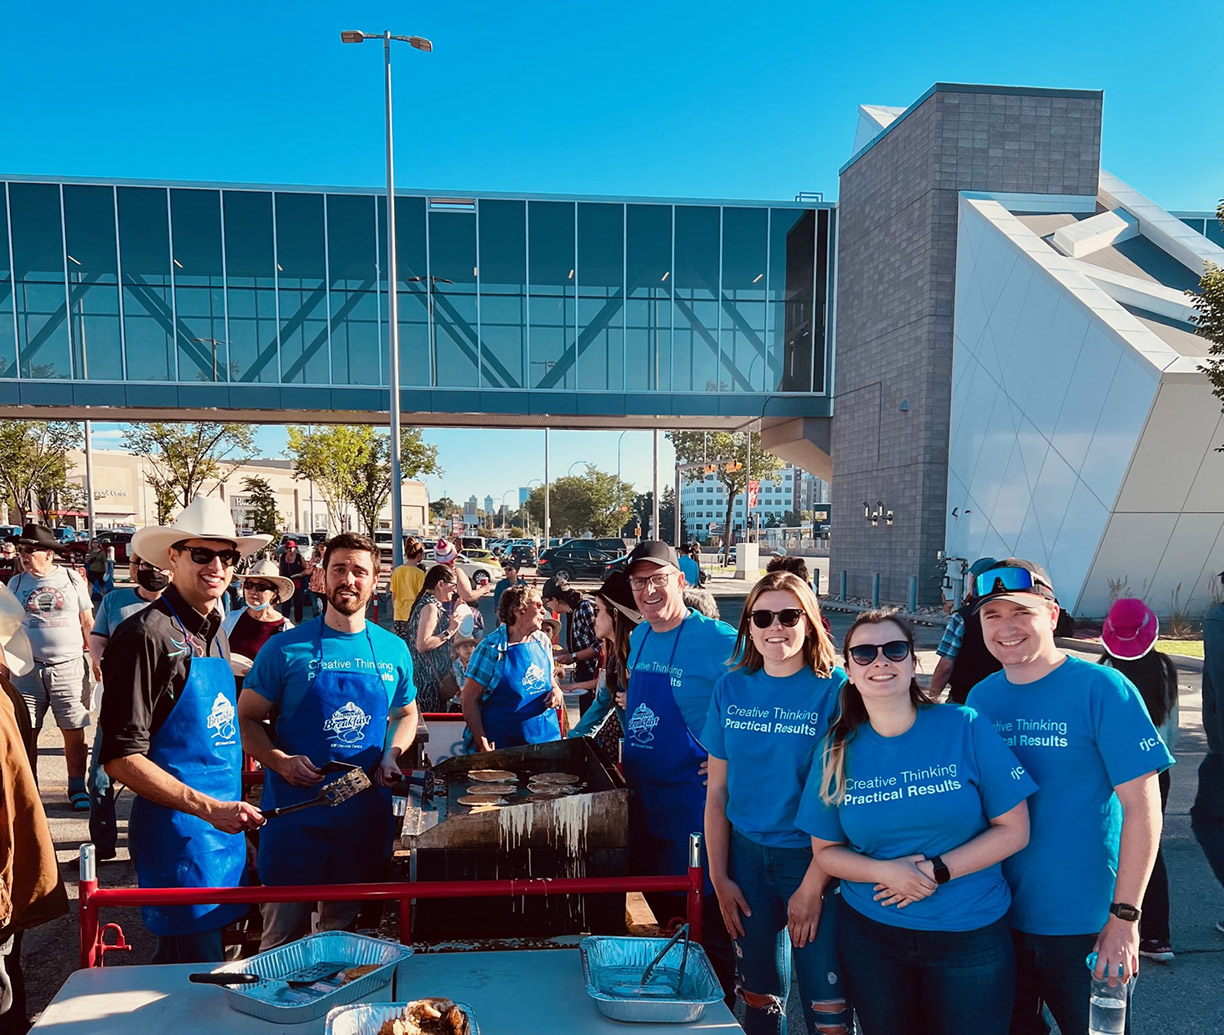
(287, 665)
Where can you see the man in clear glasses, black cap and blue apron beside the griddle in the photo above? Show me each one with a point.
(675, 659)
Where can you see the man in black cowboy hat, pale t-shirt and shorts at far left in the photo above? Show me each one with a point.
(59, 618)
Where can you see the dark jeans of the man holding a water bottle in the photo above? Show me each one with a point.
(1052, 972)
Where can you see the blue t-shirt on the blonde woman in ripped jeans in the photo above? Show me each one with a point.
(768, 730)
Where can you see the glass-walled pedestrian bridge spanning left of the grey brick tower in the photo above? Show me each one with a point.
(161, 300)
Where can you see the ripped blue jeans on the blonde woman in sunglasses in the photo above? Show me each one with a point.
(768, 878)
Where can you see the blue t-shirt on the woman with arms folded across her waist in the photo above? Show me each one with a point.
(931, 790)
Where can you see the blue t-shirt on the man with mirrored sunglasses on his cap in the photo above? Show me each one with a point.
(1080, 731)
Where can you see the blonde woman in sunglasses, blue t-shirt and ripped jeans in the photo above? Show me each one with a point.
(768, 719)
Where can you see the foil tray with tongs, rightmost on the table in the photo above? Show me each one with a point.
(609, 962)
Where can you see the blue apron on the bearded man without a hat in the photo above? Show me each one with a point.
(342, 718)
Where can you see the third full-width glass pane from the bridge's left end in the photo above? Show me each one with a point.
(149, 303)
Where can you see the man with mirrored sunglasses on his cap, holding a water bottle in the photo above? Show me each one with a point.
(1084, 735)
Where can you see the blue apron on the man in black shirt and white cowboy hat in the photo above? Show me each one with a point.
(199, 744)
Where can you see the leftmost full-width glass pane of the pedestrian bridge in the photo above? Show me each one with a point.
(40, 286)
